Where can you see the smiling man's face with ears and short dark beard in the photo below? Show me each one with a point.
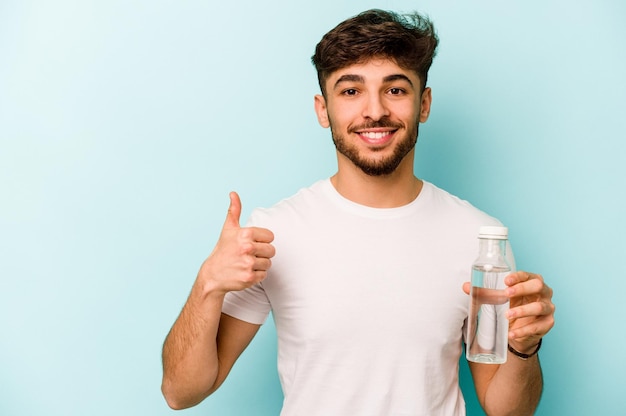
(373, 110)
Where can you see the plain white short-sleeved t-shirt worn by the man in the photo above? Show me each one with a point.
(368, 303)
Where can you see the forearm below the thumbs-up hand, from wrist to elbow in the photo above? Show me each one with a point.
(190, 360)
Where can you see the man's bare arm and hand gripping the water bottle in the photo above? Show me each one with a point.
(514, 388)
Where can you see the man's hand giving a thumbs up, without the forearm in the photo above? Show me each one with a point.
(241, 257)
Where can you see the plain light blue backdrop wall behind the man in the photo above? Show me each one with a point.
(124, 124)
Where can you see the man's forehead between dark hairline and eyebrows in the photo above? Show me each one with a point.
(372, 71)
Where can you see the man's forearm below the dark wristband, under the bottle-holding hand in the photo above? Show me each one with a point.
(515, 388)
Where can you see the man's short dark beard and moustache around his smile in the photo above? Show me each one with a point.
(376, 166)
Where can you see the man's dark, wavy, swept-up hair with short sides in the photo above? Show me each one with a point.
(407, 39)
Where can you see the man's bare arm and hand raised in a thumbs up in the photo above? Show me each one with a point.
(204, 344)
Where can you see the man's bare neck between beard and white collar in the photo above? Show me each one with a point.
(387, 191)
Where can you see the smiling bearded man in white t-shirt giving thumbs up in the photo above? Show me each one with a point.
(364, 272)
